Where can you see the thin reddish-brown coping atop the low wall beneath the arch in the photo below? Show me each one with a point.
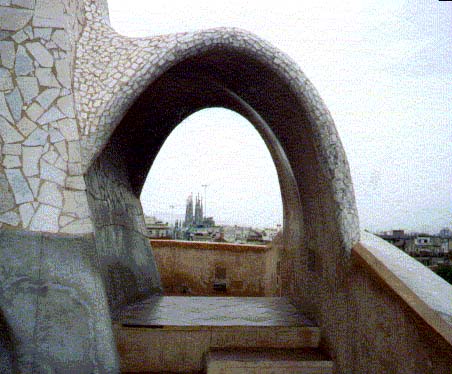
(186, 244)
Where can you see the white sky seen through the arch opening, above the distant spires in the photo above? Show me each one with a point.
(217, 154)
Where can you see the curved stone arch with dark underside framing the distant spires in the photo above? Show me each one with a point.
(319, 211)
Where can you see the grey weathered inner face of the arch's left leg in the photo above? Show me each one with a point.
(126, 261)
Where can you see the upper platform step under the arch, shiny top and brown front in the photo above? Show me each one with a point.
(174, 334)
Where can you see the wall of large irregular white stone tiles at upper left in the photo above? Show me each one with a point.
(41, 181)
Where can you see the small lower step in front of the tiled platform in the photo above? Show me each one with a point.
(266, 361)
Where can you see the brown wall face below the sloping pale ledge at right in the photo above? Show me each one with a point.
(392, 337)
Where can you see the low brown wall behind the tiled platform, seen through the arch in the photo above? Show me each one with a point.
(204, 269)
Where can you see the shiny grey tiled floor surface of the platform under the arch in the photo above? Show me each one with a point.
(165, 311)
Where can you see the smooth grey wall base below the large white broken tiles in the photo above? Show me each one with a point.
(56, 273)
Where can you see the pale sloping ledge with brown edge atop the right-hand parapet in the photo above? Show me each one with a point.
(426, 293)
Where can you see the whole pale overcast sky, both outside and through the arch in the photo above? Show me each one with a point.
(384, 69)
